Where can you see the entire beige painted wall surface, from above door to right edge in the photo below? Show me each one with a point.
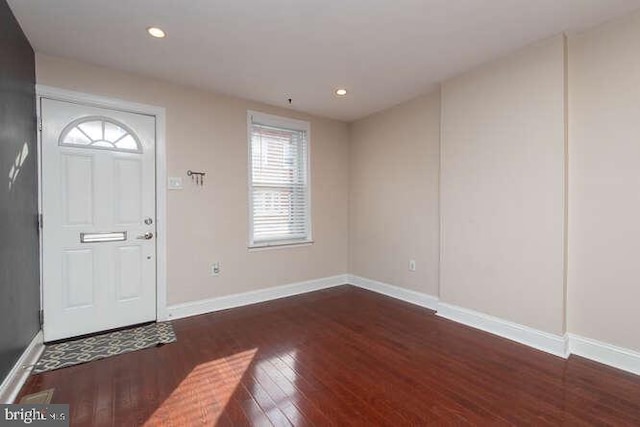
(376, 187)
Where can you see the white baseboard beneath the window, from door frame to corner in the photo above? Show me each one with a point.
(195, 308)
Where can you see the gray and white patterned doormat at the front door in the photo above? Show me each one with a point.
(97, 347)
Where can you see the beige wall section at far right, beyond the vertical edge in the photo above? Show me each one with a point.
(604, 179)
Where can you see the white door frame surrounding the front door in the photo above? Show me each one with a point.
(161, 175)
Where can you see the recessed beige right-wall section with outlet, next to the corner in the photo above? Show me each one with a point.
(393, 203)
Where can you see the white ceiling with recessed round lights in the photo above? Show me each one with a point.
(384, 51)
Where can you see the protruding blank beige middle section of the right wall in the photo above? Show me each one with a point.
(502, 188)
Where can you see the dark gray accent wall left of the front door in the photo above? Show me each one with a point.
(19, 266)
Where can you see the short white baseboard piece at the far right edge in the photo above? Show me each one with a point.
(618, 357)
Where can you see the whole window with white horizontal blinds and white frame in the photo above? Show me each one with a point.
(279, 180)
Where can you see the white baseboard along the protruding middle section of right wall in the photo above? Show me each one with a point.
(544, 341)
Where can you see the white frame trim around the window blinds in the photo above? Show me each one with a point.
(289, 124)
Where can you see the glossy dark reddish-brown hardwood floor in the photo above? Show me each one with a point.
(342, 356)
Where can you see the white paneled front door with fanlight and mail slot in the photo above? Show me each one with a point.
(98, 205)
